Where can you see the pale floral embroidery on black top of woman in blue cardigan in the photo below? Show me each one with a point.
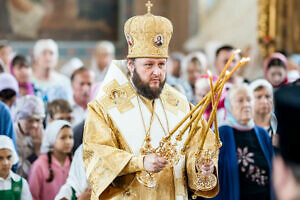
(248, 167)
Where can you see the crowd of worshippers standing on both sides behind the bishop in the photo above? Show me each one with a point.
(42, 114)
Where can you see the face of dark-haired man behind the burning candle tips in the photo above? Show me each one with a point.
(223, 58)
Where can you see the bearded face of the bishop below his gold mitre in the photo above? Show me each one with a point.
(148, 75)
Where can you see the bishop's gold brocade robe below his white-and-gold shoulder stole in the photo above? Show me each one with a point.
(110, 165)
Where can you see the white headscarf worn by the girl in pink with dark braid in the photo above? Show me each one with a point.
(51, 133)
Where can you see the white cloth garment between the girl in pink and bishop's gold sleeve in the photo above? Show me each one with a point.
(77, 177)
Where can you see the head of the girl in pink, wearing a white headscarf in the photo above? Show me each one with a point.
(58, 137)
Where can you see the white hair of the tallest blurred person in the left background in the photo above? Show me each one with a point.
(45, 44)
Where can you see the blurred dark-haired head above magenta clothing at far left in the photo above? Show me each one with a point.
(21, 69)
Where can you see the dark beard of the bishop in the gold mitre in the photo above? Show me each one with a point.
(144, 89)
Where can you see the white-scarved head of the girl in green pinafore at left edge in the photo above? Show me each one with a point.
(8, 155)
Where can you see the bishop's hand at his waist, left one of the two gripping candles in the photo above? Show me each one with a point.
(153, 163)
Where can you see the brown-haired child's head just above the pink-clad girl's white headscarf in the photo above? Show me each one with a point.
(60, 109)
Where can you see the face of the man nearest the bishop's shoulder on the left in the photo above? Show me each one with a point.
(82, 85)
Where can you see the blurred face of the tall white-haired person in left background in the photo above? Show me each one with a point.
(47, 59)
